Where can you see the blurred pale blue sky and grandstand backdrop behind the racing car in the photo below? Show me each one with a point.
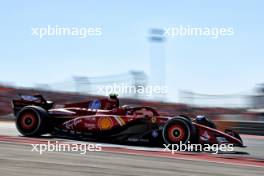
(219, 77)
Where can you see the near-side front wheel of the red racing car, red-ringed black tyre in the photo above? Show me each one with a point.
(178, 130)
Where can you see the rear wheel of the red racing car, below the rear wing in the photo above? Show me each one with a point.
(32, 121)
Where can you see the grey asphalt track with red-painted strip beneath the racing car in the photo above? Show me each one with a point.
(17, 158)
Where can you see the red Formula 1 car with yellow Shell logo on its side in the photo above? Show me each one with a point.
(104, 120)
